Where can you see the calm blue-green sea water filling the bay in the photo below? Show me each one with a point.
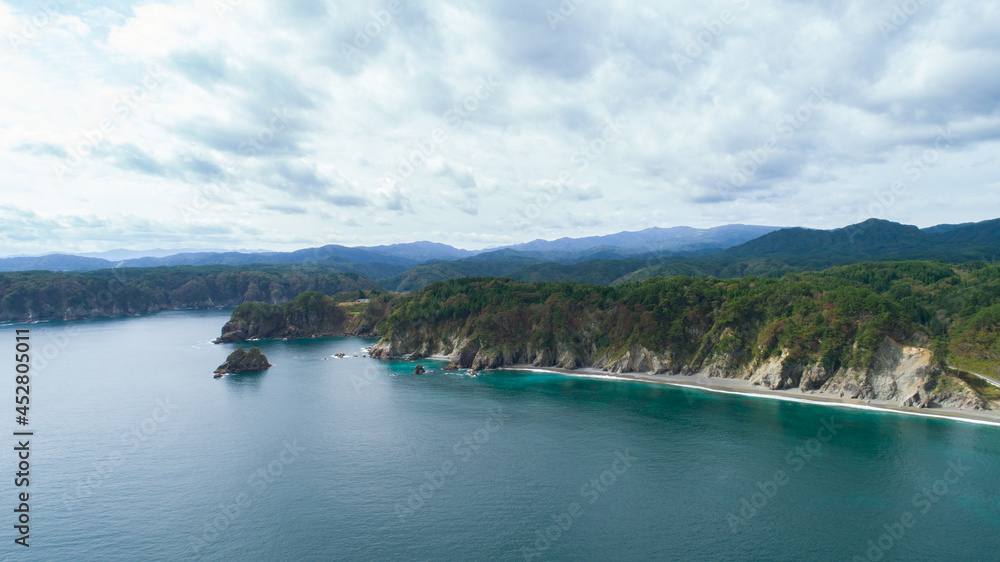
(140, 454)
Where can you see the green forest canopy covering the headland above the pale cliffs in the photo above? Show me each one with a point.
(837, 317)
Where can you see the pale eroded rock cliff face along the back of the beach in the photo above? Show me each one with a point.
(901, 375)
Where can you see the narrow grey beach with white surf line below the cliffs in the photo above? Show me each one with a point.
(741, 387)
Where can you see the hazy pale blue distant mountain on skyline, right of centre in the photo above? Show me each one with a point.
(677, 239)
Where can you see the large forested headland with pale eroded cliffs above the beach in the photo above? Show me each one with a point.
(834, 329)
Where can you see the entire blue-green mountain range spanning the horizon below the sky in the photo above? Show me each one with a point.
(724, 252)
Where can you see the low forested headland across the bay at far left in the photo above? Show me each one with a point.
(37, 295)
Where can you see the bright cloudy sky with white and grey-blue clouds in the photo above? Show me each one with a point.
(282, 125)
